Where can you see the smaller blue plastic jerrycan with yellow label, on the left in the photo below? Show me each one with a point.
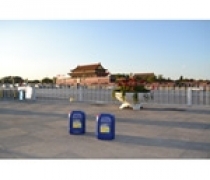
(77, 124)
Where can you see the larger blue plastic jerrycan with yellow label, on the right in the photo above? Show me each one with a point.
(105, 126)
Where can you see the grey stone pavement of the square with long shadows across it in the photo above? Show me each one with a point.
(40, 130)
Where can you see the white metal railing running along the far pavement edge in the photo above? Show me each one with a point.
(164, 95)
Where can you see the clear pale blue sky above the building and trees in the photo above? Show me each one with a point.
(36, 49)
